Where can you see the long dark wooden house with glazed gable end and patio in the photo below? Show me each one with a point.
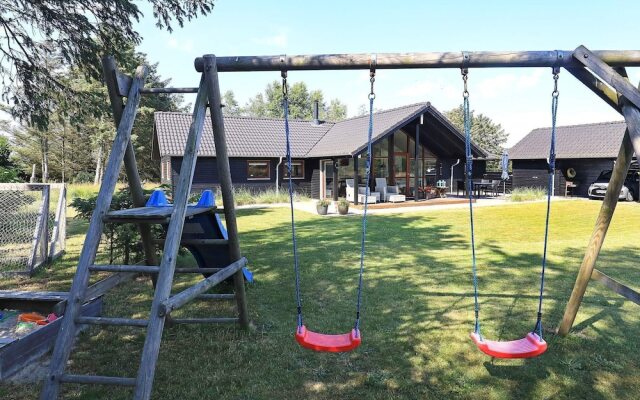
(323, 152)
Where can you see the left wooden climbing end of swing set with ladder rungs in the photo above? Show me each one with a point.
(163, 302)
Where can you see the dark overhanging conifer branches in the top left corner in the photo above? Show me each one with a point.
(79, 32)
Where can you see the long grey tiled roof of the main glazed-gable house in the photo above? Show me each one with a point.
(264, 137)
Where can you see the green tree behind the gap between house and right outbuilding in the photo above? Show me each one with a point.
(484, 132)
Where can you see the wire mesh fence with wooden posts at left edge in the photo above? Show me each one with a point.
(32, 225)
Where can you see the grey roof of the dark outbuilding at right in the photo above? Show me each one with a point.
(599, 140)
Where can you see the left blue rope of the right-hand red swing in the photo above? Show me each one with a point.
(466, 113)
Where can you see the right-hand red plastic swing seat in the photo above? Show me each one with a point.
(529, 346)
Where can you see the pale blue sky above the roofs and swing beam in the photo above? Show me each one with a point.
(519, 99)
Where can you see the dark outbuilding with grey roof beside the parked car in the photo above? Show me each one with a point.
(582, 152)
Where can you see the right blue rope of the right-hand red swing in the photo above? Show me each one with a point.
(552, 169)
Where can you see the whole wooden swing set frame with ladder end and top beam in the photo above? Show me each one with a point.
(603, 72)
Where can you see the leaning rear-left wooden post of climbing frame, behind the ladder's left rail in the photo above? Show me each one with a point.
(110, 72)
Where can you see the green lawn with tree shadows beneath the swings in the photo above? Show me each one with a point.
(418, 311)
